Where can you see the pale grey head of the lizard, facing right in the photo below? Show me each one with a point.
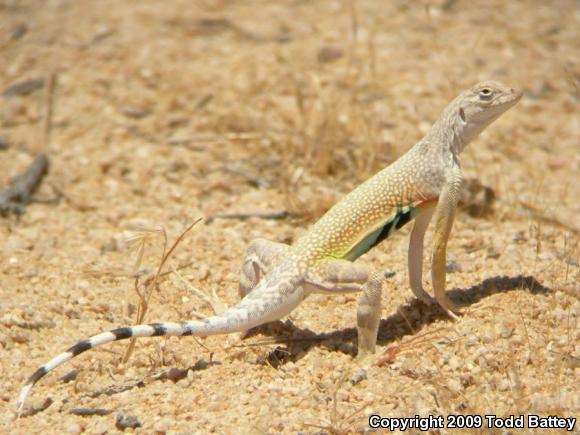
(482, 104)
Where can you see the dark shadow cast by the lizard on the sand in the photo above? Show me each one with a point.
(407, 320)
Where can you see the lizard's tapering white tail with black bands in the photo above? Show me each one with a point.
(221, 324)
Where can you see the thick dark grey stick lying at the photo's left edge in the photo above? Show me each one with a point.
(15, 198)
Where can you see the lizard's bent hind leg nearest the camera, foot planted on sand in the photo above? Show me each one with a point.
(341, 276)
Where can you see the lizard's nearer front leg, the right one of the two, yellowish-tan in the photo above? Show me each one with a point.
(444, 215)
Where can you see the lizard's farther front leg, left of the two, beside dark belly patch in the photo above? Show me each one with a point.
(416, 240)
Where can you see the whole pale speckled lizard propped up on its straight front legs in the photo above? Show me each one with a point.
(423, 183)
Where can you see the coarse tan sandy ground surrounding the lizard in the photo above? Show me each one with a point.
(167, 111)
